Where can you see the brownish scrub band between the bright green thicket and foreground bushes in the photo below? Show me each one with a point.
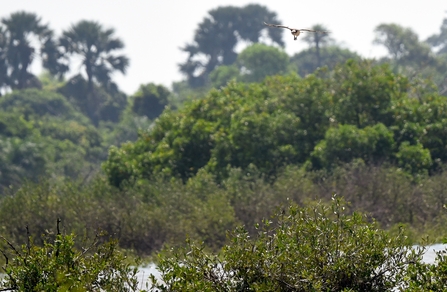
(146, 216)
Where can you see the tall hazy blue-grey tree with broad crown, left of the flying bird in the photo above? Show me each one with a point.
(218, 34)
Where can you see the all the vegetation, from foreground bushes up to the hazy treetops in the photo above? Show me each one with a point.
(242, 136)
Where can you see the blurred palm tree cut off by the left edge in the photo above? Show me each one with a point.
(17, 36)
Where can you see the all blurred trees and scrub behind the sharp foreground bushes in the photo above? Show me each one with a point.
(247, 130)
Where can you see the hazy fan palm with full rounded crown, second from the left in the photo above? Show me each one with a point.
(95, 45)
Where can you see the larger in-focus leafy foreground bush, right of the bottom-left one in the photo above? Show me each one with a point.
(316, 248)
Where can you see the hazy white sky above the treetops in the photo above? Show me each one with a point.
(154, 30)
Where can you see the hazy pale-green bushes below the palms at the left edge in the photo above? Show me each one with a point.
(43, 135)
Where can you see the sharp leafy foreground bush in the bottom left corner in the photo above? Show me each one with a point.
(58, 266)
